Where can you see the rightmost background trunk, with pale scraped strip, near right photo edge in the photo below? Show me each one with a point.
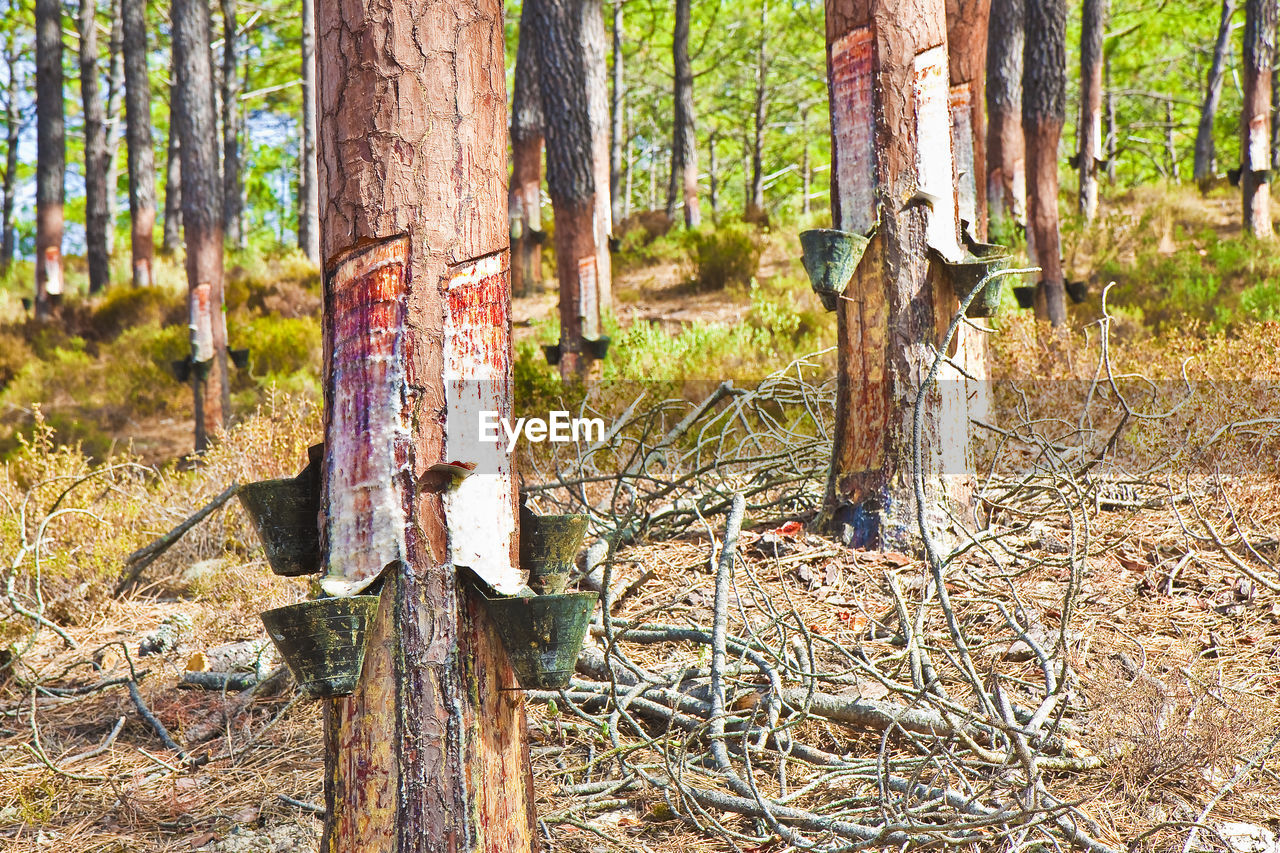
(1260, 43)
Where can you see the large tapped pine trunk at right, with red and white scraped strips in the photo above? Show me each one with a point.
(892, 143)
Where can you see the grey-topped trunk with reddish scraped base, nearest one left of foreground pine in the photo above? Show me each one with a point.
(202, 213)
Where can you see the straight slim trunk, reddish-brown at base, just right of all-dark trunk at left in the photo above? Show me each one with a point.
(138, 115)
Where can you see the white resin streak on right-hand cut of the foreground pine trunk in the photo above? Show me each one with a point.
(479, 510)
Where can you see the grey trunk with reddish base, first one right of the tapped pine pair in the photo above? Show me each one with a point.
(1007, 179)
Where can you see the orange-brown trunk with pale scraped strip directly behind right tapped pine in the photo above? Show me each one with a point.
(967, 63)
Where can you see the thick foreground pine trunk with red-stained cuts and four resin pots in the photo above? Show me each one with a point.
(429, 754)
